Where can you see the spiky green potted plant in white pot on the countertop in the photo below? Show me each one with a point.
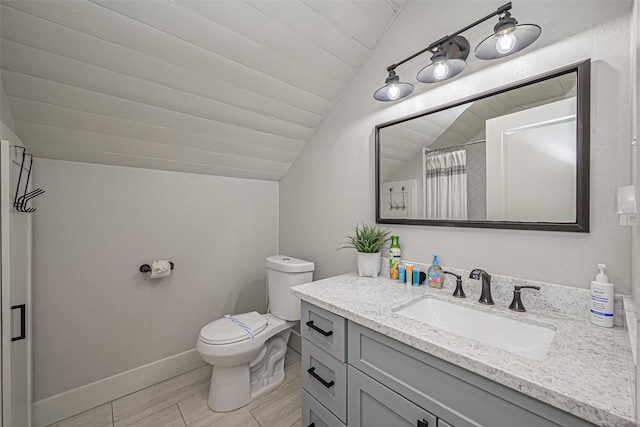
(367, 240)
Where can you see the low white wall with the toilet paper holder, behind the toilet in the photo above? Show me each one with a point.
(95, 314)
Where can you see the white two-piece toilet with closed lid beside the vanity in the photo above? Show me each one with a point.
(247, 350)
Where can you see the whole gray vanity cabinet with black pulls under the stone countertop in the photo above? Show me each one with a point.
(366, 379)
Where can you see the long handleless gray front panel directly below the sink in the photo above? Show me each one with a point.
(461, 397)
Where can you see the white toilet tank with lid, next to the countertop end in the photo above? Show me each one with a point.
(283, 272)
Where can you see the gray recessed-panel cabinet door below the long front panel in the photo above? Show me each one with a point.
(373, 405)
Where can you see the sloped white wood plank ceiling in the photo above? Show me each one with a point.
(231, 88)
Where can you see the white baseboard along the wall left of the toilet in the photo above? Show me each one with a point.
(64, 405)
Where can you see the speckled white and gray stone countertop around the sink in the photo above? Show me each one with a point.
(588, 371)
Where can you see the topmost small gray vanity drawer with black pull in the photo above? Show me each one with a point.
(325, 329)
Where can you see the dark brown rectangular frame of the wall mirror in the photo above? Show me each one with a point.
(583, 116)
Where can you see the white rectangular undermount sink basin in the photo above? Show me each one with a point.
(524, 339)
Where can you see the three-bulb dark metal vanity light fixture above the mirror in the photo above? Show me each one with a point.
(449, 54)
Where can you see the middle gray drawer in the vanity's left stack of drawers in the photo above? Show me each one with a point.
(325, 378)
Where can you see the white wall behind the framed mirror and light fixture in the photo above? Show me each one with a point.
(331, 185)
